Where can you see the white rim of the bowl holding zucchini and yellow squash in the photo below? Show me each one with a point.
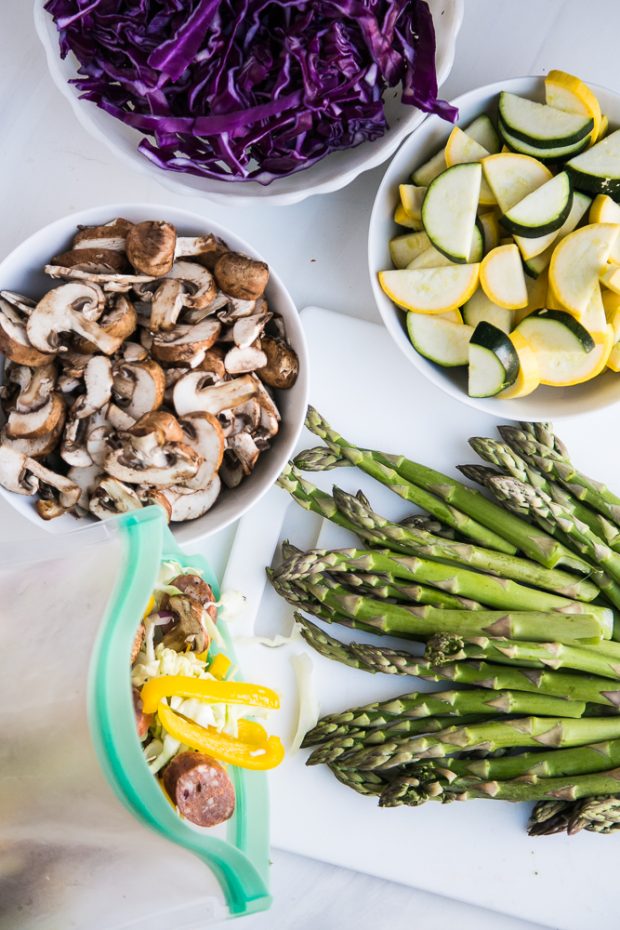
(388, 311)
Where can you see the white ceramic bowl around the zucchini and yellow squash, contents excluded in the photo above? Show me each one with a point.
(545, 403)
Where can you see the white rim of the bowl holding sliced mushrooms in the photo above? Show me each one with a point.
(286, 306)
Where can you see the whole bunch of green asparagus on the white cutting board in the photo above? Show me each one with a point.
(514, 597)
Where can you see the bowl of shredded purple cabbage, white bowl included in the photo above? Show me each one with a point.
(245, 98)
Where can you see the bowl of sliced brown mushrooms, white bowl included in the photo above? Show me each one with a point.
(149, 356)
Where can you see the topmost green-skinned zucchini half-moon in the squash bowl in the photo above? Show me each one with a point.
(541, 125)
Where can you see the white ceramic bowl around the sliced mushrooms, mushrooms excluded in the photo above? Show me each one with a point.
(22, 271)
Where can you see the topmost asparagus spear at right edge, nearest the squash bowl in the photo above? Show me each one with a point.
(558, 466)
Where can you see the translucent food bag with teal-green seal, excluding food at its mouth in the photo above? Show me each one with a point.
(89, 838)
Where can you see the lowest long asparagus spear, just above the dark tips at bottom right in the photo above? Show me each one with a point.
(408, 790)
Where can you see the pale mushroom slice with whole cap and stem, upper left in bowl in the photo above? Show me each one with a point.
(59, 311)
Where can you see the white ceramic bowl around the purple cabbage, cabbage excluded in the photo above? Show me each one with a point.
(332, 173)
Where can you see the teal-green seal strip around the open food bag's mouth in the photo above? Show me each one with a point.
(241, 862)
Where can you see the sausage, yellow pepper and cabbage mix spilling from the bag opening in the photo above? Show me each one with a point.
(190, 711)
